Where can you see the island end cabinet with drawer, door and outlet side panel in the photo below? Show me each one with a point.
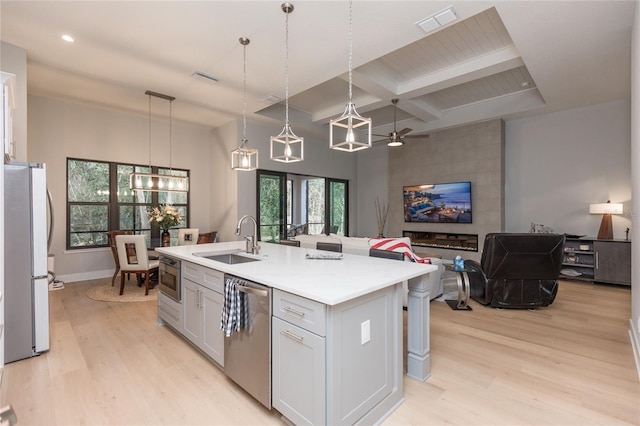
(339, 364)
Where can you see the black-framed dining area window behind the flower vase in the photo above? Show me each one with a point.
(99, 200)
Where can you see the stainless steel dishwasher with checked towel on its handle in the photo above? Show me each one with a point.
(247, 353)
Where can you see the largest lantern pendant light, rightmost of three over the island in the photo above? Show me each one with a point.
(343, 135)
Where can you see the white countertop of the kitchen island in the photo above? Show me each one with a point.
(285, 268)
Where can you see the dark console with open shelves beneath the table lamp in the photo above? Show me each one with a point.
(606, 261)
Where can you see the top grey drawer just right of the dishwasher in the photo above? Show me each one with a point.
(304, 313)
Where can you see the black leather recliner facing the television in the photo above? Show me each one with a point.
(517, 270)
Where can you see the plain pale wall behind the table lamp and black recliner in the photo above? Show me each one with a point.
(559, 163)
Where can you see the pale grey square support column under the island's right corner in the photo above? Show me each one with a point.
(418, 359)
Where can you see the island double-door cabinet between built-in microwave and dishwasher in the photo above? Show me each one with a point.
(202, 310)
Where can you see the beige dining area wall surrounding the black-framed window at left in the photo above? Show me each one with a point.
(59, 129)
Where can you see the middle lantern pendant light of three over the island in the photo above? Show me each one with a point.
(287, 147)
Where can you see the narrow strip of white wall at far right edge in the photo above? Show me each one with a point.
(634, 325)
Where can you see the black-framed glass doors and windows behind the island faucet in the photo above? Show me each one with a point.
(290, 204)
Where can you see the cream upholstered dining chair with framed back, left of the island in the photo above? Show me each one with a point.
(142, 264)
